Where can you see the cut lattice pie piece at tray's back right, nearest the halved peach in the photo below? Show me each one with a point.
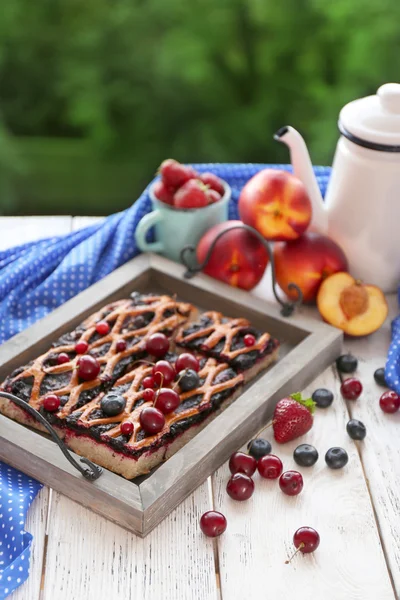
(223, 338)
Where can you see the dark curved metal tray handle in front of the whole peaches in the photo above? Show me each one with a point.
(188, 252)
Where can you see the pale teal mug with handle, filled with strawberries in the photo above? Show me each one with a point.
(176, 228)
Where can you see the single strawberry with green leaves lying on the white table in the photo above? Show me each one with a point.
(292, 418)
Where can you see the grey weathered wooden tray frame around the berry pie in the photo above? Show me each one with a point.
(307, 347)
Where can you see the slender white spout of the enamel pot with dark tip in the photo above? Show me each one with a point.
(302, 168)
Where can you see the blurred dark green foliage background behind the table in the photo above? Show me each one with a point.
(94, 94)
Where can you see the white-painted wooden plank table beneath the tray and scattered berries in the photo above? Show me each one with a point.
(78, 555)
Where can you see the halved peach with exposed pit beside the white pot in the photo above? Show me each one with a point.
(356, 308)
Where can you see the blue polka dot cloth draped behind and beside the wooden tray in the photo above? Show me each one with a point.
(37, 277)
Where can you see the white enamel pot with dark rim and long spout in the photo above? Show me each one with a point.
(361, 211)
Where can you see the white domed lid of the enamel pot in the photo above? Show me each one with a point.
(374, 121)
